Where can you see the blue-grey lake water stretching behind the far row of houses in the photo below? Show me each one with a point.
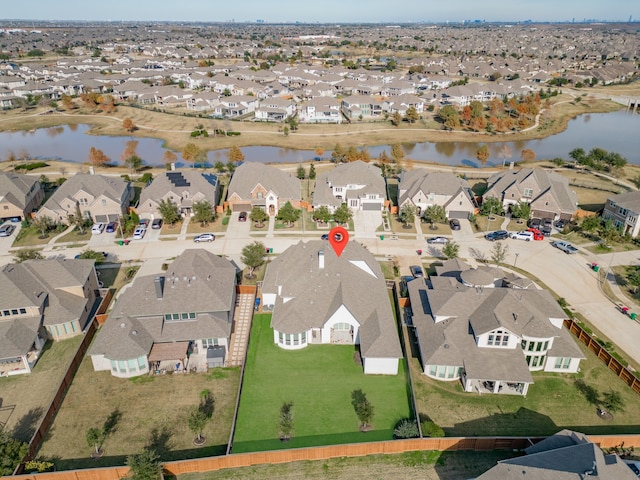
(617, 131)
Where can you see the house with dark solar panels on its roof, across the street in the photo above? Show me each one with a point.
(184, 188)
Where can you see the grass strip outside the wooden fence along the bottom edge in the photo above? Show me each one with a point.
(427, 465)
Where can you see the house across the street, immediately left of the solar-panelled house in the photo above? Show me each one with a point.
(100, 198)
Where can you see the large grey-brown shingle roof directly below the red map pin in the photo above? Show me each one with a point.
(308, 295)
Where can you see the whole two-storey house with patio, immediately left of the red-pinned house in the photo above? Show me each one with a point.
(177, 320)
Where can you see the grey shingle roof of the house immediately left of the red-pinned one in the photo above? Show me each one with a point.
(196, 282)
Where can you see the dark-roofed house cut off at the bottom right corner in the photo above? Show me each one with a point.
(567, 455)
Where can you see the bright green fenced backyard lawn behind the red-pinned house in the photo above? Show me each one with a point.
(318, 380)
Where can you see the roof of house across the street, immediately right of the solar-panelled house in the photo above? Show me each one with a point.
(248, 175)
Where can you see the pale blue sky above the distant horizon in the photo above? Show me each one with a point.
(322, 11)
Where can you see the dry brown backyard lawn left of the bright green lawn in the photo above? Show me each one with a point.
(149, 412)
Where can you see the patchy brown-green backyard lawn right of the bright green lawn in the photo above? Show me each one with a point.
(554, 401)
